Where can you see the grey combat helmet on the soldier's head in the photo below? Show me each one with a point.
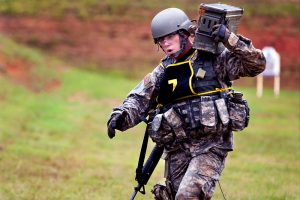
(168, 21)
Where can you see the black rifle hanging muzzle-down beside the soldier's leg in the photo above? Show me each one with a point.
(147, 171)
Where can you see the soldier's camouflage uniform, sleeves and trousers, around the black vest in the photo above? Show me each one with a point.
(194, 159)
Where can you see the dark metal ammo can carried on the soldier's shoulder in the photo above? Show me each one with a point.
(210, 15)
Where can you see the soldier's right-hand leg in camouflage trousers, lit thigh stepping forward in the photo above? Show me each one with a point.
(200, 178)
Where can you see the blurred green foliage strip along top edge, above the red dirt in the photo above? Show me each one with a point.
(94, 8)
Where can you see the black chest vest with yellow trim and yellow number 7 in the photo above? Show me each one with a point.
(180, 79)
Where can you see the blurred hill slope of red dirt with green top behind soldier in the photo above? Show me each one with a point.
(113, 35)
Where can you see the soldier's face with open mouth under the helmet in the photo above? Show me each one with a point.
(170, 43)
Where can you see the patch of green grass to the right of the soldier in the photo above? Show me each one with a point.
(265, 163)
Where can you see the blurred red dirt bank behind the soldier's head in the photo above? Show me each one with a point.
(128, 44)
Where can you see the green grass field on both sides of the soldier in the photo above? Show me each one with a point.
(53, 145)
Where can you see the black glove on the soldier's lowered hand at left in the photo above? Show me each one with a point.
(115, 122)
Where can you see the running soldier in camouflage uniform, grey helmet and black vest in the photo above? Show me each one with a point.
(191, 105)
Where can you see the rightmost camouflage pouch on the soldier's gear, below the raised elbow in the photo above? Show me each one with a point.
(239, 112)
